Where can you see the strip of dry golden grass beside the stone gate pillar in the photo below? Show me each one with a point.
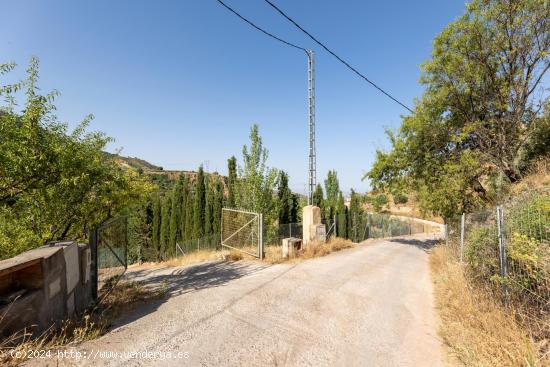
(273, 254)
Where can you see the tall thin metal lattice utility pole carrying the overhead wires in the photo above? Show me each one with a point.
(311, 112)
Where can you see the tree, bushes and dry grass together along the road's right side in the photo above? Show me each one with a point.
(479, 137)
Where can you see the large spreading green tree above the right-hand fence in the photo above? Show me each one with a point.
(478, 115)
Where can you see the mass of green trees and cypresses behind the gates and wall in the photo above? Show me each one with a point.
(57, 184)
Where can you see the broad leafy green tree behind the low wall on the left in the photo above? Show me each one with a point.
(54, 184)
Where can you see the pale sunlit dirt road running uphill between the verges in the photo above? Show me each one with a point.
(367, 306)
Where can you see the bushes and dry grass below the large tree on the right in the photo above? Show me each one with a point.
(487, 318)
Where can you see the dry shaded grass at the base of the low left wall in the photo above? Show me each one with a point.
(121, 297)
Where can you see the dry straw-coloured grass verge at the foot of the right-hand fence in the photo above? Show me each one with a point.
(477, 329)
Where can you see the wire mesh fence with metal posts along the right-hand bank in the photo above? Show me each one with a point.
(506, 250)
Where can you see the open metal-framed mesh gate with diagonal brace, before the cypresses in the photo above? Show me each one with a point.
(242, 231)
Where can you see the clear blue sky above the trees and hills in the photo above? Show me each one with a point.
(179, 83)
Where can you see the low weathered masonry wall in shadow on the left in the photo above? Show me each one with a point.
(42, 287)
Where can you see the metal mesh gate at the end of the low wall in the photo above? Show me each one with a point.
(109, 247)
